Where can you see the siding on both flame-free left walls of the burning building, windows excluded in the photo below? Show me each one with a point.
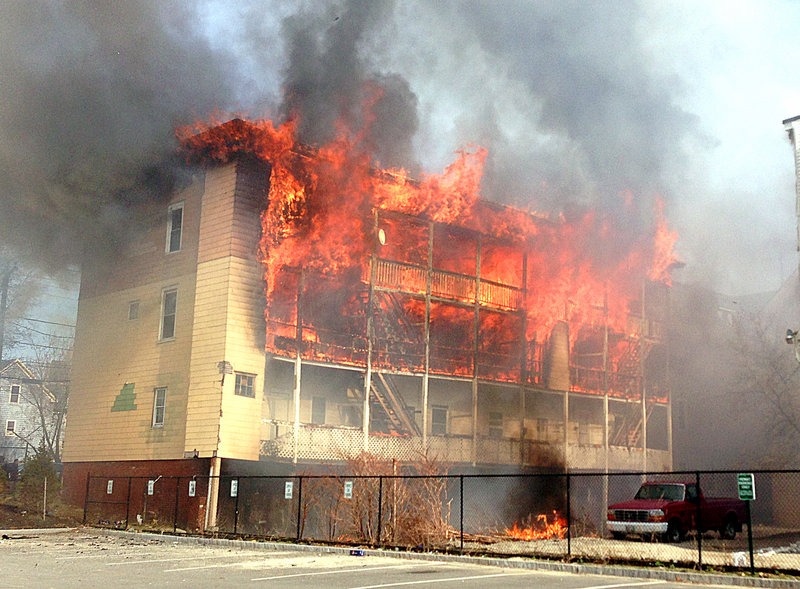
(220, 312)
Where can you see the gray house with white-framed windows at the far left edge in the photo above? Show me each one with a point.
(21, 396)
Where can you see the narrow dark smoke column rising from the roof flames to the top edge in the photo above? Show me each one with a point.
(328, 79)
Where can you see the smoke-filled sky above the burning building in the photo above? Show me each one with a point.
(581, 104)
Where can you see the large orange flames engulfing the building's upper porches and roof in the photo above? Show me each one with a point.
(319, 239)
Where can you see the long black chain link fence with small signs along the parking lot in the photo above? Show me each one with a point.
(575, 516)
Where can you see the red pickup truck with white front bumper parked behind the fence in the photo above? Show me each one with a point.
(671, 509)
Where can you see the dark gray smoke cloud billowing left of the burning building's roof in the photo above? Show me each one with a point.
(90, 96)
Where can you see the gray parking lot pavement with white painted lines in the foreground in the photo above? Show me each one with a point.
(91, 558)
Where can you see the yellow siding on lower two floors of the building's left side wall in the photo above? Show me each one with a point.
(113, 350)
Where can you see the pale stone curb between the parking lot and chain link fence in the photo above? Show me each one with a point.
(515, 563)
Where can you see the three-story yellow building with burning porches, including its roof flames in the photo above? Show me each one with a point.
(296, 306)
